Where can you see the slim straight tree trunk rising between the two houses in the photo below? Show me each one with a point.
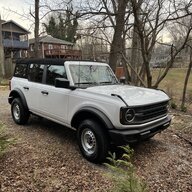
(36, 31)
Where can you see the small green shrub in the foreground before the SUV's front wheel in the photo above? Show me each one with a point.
(122, 173)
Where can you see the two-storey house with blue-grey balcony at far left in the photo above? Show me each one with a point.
(13, 44)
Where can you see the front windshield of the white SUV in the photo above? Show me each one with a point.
(89, 75)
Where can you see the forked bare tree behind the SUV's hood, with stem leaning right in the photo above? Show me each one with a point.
(155, 16)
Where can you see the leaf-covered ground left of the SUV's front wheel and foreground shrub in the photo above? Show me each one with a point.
(45, 158)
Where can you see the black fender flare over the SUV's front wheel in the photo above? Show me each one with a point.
(94, 113)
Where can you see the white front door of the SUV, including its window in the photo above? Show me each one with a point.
(54, 101)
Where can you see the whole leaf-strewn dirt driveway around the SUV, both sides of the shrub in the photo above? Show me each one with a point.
(46, 158)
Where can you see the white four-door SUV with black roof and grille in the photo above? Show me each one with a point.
(86, 96)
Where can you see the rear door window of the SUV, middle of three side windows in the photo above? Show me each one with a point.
(36, 73)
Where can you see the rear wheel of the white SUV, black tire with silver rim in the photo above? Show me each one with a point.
(19, 113)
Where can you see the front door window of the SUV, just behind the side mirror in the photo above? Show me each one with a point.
(55, 71)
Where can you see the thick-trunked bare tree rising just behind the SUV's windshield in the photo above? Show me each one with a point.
(111, 14)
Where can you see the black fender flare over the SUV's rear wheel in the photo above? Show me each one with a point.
(17, 93)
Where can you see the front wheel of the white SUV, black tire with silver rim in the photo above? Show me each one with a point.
(92, 141)
